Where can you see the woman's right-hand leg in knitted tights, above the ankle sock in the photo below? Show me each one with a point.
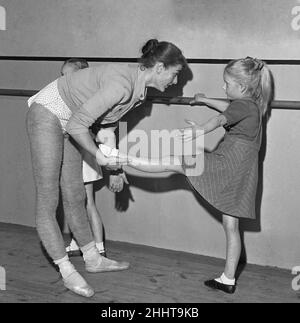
(73, 193)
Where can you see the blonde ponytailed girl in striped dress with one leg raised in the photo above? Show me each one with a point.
(229, 179)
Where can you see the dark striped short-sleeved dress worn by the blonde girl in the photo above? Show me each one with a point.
(230, 176)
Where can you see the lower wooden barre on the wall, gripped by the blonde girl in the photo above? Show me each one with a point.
(277, 104)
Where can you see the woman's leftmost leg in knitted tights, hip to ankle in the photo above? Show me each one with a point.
(46, 144)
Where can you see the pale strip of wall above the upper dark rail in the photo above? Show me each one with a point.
(203, 28)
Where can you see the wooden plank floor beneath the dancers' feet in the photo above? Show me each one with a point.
(156, 276)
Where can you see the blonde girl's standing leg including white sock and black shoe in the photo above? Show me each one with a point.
(226, 282)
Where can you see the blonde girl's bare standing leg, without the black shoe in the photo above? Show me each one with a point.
(233, 245)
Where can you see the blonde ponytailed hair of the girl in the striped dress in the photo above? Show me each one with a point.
(256, 77)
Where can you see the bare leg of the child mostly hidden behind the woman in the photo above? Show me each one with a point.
(93, 214)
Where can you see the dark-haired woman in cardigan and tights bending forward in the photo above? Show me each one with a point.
(58, 121)
